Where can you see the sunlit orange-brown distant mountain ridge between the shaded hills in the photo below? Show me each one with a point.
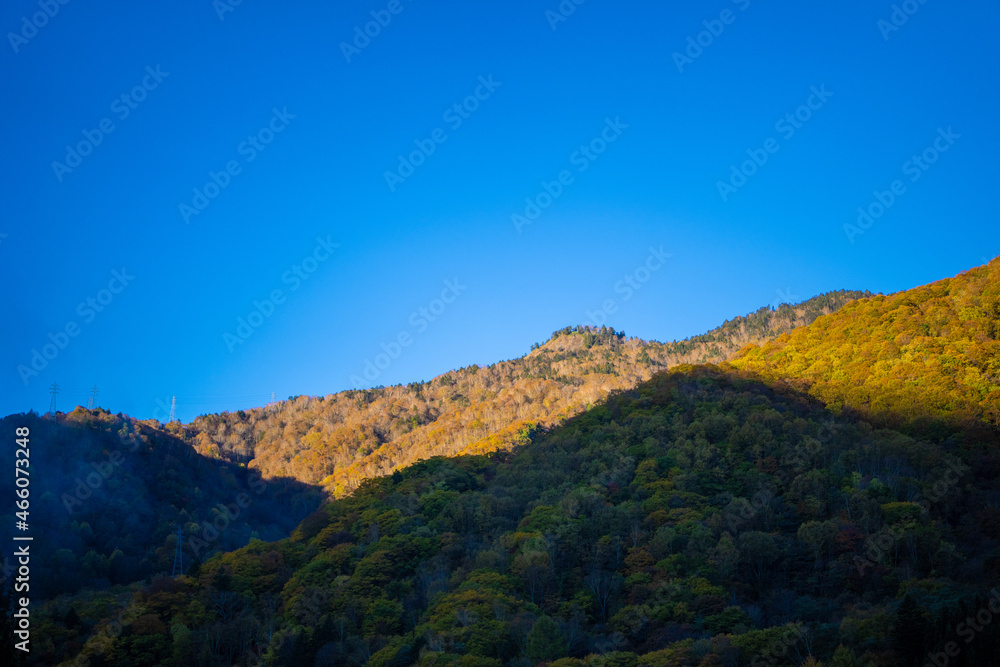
(341, 439)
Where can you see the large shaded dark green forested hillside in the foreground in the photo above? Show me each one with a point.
(700, 519)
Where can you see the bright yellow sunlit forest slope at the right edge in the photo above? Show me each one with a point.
(931, 351)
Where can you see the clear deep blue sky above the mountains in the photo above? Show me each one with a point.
(779, 235)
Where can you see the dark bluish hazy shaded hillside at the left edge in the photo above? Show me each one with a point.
(108, 493)
